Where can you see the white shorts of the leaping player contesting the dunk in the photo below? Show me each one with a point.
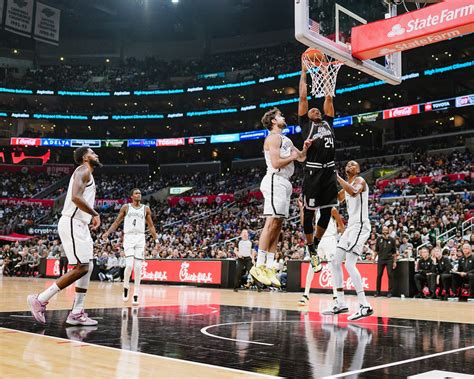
(276, 192)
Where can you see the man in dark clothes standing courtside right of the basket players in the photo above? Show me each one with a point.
(386, 250)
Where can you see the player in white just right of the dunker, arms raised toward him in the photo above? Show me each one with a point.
(355, 193)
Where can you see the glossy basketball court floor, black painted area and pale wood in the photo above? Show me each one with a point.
(183, 331)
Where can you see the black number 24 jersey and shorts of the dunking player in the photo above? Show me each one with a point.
(319, 182)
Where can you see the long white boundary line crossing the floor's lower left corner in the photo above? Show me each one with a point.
(181, 361)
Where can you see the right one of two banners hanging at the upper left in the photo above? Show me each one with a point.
(47, 23)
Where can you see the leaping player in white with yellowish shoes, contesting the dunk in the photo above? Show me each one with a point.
(276, 189)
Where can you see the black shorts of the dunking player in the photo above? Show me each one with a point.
(319, 188)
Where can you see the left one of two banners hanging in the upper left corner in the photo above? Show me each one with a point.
(19, 17)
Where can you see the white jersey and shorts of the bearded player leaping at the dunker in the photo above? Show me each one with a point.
(276, 187)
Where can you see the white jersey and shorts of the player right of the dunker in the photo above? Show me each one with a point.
(358, 226)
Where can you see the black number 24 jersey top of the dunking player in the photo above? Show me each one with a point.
(323, 150)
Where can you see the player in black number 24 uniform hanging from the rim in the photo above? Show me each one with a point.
(319, 182)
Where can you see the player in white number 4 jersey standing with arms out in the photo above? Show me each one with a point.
(134, 217)
